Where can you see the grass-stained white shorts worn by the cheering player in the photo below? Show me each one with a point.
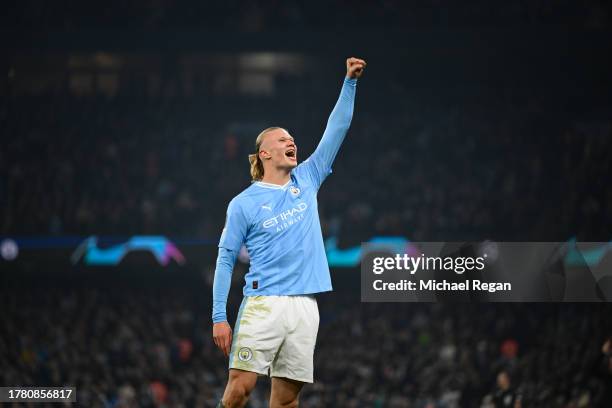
(276, 336)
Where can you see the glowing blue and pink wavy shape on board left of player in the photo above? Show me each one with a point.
(160, 247)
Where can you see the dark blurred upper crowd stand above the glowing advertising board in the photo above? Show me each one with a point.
(499, 164)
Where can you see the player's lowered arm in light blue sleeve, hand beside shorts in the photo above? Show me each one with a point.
(232, 238)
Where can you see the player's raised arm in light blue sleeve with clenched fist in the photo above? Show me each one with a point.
(338, 123)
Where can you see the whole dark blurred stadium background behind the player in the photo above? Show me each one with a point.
(474, 120)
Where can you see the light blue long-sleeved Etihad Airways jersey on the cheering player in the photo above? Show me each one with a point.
(279, 225)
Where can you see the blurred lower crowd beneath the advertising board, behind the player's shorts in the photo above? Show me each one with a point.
(152, 348)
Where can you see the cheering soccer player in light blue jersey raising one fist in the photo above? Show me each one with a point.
(276, 218)
